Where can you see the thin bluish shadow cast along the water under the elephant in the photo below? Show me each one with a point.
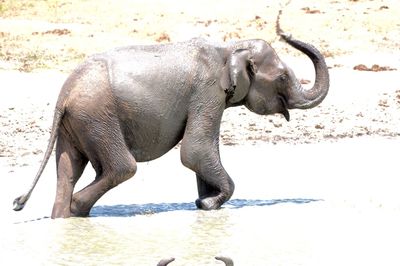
(153, 208)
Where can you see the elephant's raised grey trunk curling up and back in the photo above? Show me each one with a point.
(299, 97)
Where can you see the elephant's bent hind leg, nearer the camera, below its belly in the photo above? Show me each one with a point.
(111, 159)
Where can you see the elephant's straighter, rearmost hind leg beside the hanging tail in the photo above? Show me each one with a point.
(70, 166)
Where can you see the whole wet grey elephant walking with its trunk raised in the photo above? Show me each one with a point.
(133, 104)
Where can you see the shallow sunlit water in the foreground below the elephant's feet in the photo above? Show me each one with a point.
(281, 232)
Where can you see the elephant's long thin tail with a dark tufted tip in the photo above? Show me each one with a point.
(19, 203)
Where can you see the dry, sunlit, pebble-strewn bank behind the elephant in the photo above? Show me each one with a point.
(42, 41)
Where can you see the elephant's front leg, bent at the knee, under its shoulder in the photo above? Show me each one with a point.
(200, 153)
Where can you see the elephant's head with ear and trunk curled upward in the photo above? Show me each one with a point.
(266, 85)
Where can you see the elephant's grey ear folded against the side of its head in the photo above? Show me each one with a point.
(241, 69)
